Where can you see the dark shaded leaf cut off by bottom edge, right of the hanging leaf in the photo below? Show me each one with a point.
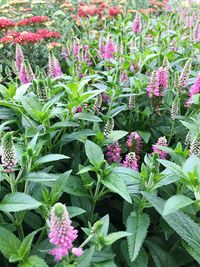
(160, 257)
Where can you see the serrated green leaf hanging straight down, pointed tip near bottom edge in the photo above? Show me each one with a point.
(137, 224)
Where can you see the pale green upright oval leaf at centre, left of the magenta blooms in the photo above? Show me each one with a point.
(94, 153)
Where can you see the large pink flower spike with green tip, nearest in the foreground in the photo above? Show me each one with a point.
(62, 233)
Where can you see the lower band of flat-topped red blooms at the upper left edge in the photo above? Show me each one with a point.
(28, 37)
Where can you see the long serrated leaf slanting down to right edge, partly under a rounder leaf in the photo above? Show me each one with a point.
(185, 227)
